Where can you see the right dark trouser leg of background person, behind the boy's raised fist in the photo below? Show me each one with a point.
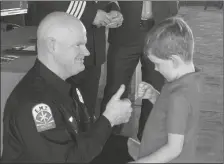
(154, 78)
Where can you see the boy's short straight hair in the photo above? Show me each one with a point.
(170, 37)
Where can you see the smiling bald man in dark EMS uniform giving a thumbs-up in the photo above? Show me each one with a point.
(45, 120)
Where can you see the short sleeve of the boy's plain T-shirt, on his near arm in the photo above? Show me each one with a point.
(177, 115)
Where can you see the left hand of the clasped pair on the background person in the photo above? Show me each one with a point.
(101, 19)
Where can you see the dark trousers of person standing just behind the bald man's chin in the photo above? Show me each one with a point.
(88, 84)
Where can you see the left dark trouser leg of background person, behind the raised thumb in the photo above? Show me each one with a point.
(121, 64)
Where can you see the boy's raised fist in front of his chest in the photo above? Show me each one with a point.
(146, 91)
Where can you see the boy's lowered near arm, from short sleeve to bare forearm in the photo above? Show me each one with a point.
(176, 125)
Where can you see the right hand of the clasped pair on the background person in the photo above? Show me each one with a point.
(116, 19)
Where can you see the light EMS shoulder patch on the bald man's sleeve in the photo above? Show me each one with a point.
(43, 117)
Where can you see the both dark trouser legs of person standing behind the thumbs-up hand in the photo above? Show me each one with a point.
(121, 64)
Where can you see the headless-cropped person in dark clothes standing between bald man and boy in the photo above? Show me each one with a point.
(126, 48)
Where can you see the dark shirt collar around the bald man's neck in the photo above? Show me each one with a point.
(51, 78)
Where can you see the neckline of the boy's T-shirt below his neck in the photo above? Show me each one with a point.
(186, 80)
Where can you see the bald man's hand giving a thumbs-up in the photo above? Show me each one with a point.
(118, 111)
